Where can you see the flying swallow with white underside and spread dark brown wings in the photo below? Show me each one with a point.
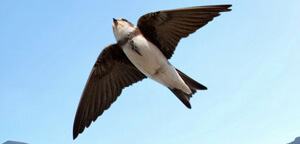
(142, 51)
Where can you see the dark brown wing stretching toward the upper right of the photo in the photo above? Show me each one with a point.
(166, 28)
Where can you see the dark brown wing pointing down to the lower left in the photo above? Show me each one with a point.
(111, 73)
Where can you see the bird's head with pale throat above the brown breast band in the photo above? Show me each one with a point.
(122, 28)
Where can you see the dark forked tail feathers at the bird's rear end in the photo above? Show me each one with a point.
(192, 84)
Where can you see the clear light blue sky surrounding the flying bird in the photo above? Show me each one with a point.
(248, 58)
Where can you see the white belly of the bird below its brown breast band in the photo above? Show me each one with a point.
(151, 62)
